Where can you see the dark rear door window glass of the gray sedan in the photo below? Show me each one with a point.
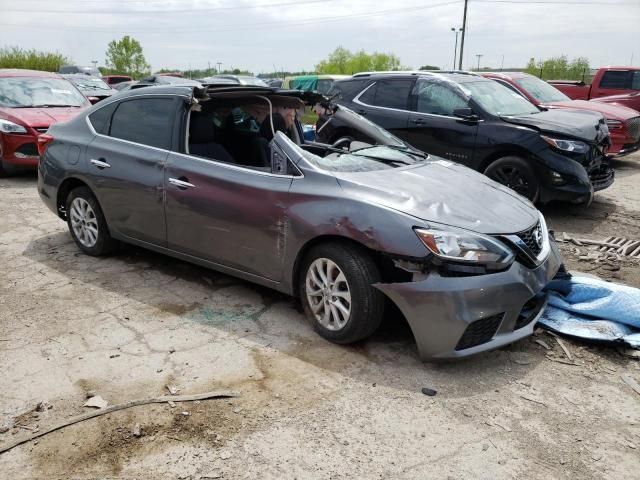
(148, 121)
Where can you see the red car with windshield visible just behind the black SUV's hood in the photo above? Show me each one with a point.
(623, 122)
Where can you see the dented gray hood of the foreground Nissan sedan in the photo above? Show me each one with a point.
(425, 192)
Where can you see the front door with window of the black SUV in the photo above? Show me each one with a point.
(432, 126)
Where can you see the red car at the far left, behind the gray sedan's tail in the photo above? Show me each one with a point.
(30, 101)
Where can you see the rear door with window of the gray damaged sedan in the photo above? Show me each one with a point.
(126, 160)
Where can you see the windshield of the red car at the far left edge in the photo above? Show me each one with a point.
(25, 92)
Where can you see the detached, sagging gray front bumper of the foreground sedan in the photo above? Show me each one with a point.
(455, 317)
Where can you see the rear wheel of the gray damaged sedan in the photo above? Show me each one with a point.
(86, 223)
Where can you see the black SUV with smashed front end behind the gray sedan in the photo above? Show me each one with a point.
(545, 156)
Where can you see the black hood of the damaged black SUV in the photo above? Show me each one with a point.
(580, 124)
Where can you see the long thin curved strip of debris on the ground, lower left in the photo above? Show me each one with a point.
(115, 408)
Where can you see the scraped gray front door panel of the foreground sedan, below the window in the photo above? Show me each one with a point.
(227, 214)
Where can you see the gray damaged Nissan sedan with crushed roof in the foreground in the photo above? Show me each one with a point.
(221, 177)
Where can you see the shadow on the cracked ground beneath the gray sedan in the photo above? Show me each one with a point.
(270, 319)
